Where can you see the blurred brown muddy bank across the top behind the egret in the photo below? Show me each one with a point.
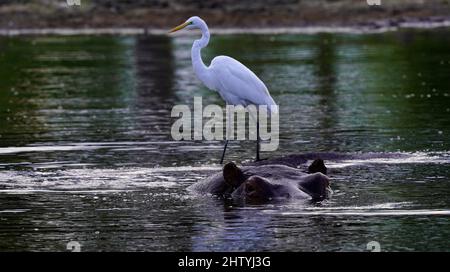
(162, 14)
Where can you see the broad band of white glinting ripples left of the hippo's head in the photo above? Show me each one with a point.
(88, 180)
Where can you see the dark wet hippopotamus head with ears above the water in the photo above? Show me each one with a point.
(267, 182)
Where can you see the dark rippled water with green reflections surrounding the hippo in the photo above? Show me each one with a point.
(86, 153)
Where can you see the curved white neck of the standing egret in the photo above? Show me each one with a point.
(200, 69)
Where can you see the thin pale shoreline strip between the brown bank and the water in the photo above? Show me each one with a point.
(379, 27)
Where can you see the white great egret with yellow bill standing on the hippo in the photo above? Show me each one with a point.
(235, 83)
